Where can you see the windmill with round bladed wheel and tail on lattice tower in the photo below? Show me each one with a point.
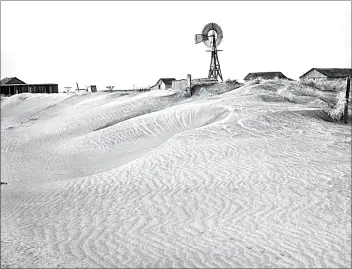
(211, 36)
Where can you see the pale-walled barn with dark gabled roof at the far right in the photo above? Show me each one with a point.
(326, 74)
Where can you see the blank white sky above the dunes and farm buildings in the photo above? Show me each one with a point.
(133, 44)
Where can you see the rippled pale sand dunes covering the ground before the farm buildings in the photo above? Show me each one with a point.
(254, 177)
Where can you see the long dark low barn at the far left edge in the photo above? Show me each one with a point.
(13, 85)
